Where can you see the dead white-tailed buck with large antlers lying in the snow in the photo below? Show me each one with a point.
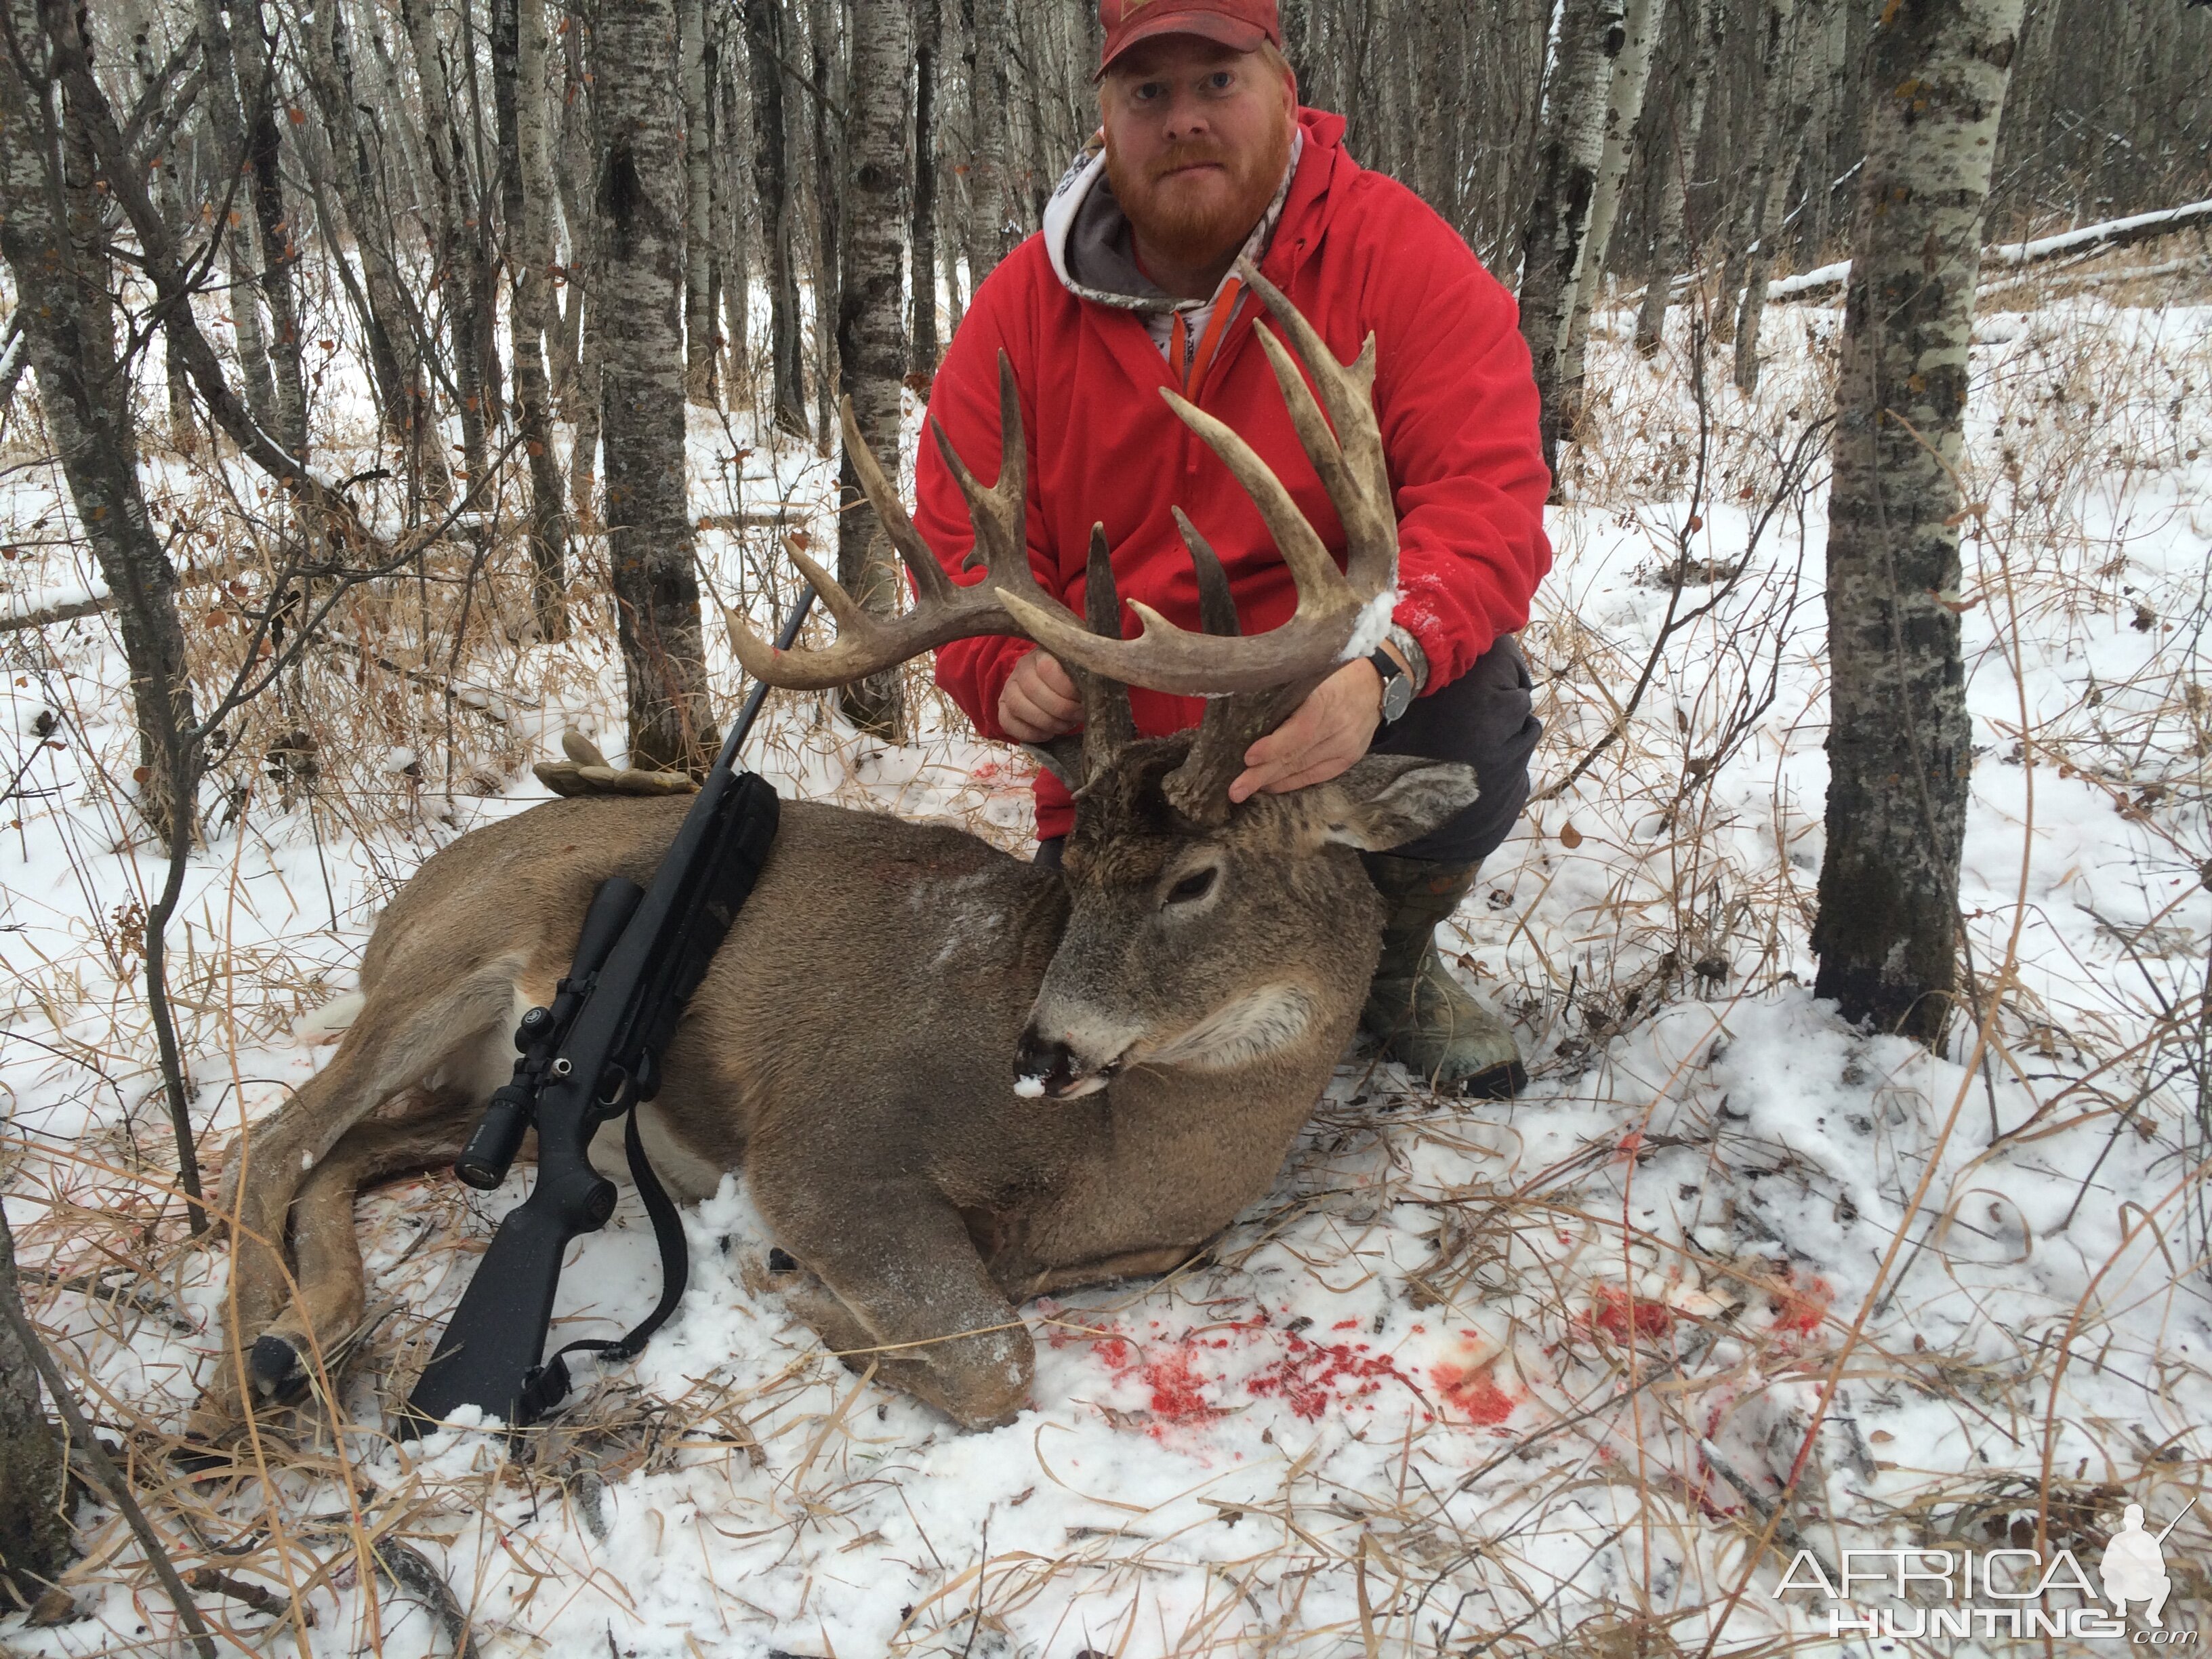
(954, 1081)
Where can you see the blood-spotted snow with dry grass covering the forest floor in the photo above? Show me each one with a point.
(1583, 1373)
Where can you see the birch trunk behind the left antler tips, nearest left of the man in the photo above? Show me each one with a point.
(870, 331)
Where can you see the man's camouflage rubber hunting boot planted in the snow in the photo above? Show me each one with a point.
(1417, 1010)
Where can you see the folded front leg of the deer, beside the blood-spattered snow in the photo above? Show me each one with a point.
(906, 1280)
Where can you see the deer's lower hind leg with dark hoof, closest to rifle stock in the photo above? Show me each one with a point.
(331, 1293)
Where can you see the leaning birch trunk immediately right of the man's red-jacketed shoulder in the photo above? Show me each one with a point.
(1592, 36)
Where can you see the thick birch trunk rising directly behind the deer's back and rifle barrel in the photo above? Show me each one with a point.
(640, 309)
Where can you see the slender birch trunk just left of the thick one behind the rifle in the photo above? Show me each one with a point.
(519, 76)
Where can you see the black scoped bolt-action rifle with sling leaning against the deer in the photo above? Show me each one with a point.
(596, 1054)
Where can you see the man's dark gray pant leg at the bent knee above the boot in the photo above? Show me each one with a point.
(1483, 720)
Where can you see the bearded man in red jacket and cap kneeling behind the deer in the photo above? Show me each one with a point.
(1207, 158)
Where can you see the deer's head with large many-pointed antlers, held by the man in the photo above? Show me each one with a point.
(1202, 935)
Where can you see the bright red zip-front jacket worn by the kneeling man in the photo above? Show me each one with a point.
(1457, 401)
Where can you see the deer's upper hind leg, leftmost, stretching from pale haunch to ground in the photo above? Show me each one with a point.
(395, 1045)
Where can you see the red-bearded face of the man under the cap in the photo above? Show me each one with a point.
(1198, 138)
